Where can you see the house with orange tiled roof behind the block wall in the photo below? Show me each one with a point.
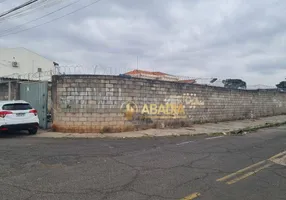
(157, 76)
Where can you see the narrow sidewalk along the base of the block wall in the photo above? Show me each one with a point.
(211, 129)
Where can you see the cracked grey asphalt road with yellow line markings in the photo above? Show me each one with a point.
(223, 168)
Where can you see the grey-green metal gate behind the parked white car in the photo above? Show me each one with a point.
(36, 93)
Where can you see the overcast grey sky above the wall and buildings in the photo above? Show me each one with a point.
(197, 38)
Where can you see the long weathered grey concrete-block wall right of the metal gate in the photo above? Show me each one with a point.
(109, 103)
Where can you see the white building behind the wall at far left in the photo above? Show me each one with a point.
(22, 63)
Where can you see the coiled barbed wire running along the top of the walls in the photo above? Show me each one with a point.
(117, 71)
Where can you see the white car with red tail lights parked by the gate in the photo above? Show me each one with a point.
(18, 115)
